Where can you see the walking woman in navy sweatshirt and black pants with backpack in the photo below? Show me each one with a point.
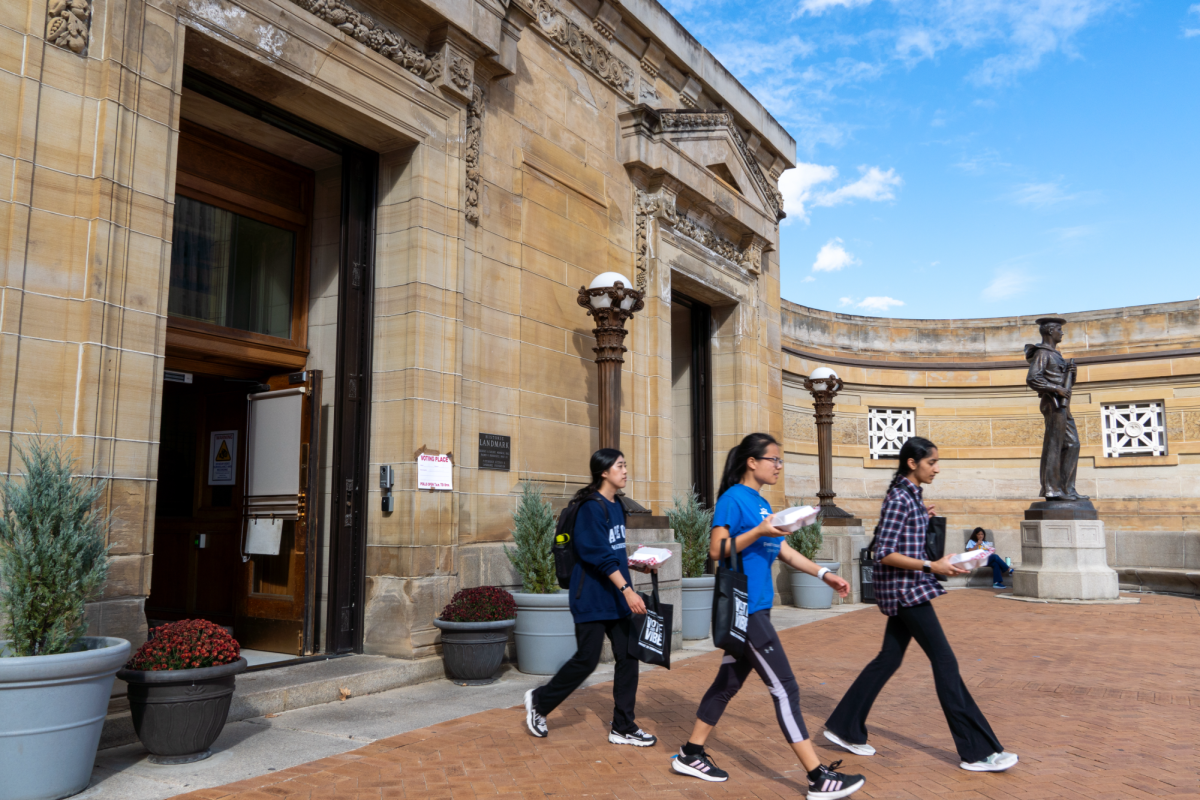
(602, 604)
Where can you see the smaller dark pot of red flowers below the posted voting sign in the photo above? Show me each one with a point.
(475, 633)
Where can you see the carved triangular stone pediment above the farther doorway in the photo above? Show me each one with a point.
(711, 141)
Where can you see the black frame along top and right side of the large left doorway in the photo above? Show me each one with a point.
(352, 423)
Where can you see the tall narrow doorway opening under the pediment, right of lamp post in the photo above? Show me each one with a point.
(692, 420)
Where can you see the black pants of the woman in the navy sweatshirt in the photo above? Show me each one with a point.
(590, 639)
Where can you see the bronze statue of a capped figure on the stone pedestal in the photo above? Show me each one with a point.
(1053, 378)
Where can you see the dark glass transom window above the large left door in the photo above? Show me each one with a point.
(231, 270)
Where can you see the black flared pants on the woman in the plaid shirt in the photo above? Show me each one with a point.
(973, 736)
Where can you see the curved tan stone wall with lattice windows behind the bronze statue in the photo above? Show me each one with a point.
(962, 384)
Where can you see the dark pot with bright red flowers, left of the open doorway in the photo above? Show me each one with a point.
(182, 684)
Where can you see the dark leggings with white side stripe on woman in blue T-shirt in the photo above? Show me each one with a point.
(764, 654)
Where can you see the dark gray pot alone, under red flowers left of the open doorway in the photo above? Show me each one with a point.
(178, 714)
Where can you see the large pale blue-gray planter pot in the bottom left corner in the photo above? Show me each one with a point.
(53, 712)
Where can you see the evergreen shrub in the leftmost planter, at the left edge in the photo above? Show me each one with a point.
(53, 555)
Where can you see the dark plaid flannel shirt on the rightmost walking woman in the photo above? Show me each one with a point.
(903, 525)
